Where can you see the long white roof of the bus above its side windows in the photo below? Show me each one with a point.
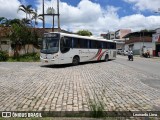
(83, 37)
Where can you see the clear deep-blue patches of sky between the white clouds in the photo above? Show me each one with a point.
(124, 7)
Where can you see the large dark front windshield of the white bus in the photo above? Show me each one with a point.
(50, 45)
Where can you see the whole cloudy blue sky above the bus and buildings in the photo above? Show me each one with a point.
(98, 16)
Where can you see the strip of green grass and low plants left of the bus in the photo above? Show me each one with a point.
(31, 57)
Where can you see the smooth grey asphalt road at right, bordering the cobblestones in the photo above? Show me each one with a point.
(148, 65)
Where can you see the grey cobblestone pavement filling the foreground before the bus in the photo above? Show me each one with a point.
(28, 86)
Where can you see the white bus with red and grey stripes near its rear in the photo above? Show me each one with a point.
(62, 48)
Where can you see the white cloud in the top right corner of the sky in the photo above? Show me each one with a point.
(152, 5)
